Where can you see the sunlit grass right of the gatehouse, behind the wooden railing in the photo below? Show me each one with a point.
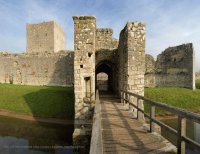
(179, 97)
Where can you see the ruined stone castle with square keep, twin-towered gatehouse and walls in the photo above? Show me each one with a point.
(47, 62)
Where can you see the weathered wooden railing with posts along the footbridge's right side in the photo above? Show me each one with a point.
(182, 116)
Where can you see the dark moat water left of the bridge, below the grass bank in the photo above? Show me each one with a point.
(20, 136)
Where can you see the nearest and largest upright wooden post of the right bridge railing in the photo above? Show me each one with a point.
(181, 132)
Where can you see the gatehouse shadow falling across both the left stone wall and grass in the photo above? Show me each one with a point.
(55, 102)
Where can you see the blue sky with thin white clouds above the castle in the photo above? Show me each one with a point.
(168, 22)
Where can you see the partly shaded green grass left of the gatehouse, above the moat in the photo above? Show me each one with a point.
(40, 101)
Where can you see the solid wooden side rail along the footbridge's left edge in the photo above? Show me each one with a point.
(96, 138)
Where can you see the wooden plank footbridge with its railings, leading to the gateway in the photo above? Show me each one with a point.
(117, 130)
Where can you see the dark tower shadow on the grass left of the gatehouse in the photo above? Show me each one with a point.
(52, 102)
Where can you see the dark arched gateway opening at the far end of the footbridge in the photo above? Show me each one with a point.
(104, 76)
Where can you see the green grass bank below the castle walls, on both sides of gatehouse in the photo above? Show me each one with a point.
(58, 102)
